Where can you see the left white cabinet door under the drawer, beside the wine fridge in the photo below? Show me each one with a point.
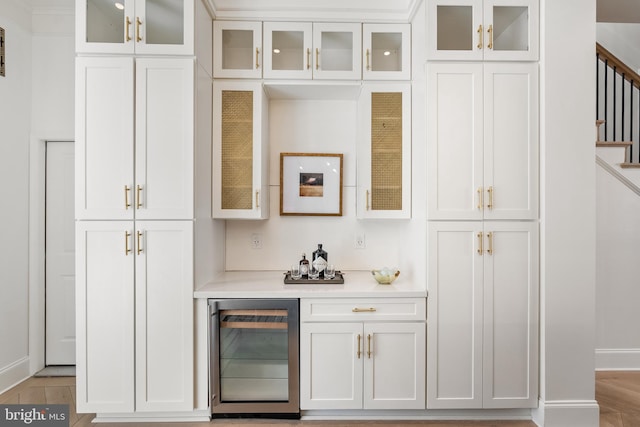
(331, 356)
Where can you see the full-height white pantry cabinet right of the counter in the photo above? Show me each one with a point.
(482, 157)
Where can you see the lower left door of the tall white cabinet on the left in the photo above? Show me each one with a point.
(105, 316)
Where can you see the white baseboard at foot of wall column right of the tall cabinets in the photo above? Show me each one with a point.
(567, 413)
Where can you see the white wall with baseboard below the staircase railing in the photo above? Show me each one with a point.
(618, 237)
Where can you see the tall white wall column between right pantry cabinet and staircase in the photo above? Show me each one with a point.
(567, 215)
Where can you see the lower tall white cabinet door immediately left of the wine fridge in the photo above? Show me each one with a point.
(164, 316)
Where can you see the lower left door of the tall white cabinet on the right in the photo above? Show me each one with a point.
(455, 307)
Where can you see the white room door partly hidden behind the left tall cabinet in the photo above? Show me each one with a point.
(60, 341)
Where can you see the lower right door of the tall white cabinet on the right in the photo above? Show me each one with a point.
(510, 327)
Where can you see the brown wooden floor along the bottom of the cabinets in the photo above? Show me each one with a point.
(618, 394)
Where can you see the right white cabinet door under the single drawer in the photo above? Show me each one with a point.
(394, 366)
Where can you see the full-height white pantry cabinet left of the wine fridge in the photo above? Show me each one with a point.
(141, 72)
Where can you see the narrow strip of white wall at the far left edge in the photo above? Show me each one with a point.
(15, 108)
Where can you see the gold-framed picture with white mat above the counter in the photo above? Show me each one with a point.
(310, 184)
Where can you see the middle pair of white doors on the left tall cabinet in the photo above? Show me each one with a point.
(158, 184)
